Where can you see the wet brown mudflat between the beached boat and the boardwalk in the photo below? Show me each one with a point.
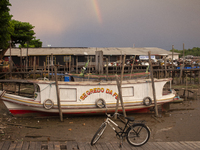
(180, 123)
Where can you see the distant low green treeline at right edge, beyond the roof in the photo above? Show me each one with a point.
(195, 51)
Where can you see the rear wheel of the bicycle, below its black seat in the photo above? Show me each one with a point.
(138, 134)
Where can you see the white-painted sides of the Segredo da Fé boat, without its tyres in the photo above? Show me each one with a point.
(80, 98)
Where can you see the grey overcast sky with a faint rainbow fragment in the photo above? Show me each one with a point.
(112, 23)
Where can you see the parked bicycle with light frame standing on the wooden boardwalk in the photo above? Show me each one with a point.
(137, 134)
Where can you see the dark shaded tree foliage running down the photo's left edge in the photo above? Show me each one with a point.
(5, 26)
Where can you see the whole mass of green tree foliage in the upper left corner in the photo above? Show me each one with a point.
(15, 31)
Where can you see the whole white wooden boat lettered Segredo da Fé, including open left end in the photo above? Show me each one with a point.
(39, 97)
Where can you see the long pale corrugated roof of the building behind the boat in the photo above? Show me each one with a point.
(87, 51)
